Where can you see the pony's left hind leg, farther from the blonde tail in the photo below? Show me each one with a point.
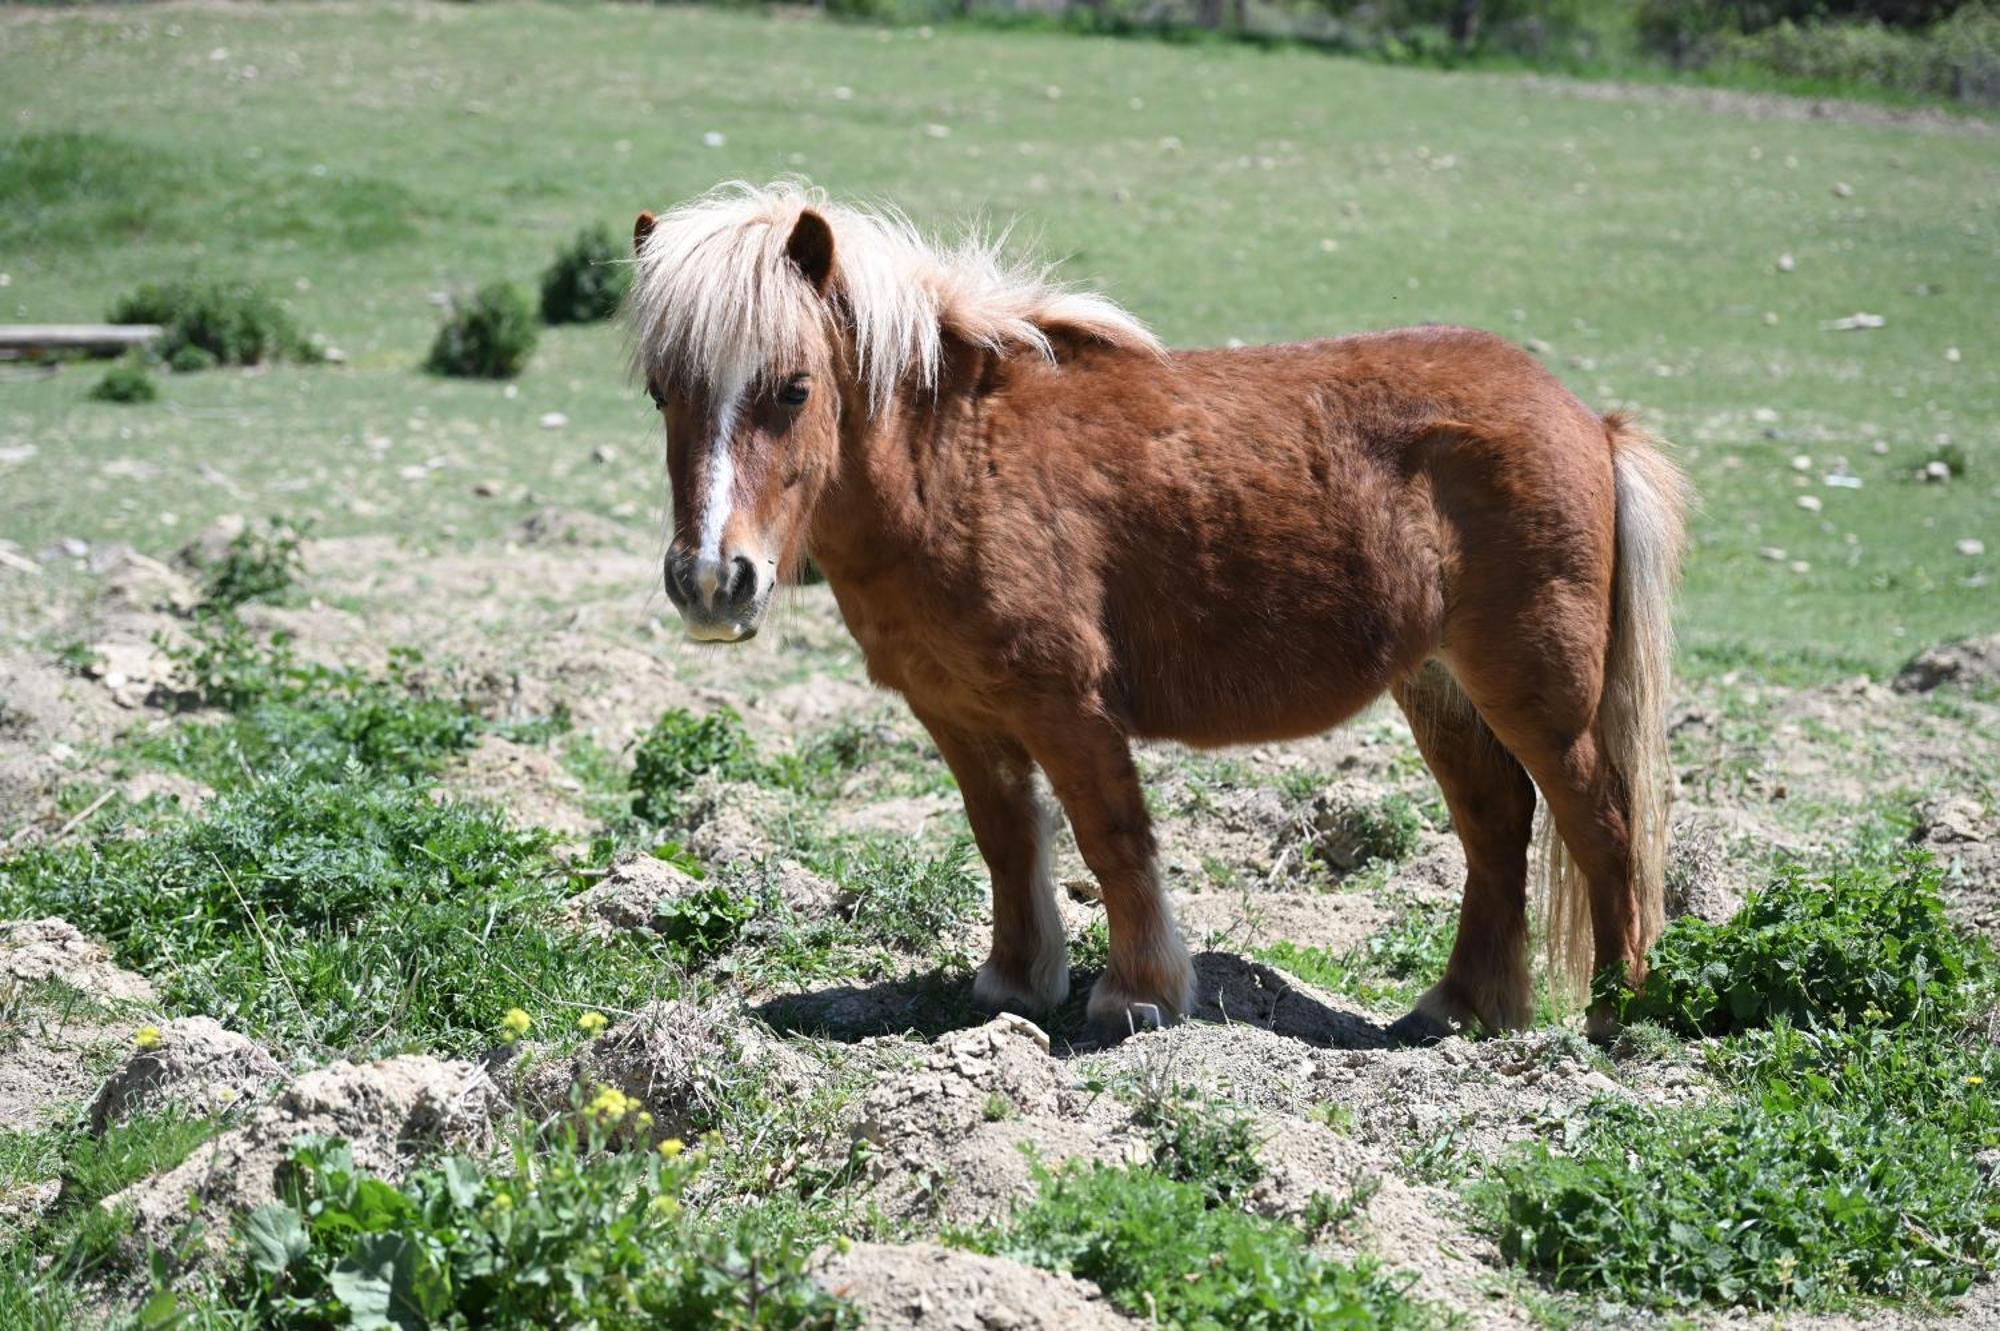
(1493, 810)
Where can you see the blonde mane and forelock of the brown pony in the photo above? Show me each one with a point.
(719, 303)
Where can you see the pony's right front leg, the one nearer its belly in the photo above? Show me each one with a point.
(1151, 980)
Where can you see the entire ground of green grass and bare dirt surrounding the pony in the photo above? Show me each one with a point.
(401, 926)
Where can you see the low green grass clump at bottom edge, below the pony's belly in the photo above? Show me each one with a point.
(1163, 1250)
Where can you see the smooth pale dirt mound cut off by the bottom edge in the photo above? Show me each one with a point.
(929, 1288)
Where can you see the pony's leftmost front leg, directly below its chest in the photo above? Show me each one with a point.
(1029, 968)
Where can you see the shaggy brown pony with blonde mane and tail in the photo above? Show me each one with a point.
(1053, 539)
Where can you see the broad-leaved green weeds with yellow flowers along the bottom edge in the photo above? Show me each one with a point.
(571, 1236)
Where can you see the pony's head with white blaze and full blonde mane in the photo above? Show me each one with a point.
(775, 331)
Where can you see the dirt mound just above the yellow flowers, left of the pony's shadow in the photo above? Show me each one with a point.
(685, 1064)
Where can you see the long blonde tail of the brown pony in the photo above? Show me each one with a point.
(1653, 501)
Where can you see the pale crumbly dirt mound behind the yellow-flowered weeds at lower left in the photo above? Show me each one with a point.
(389, 1112)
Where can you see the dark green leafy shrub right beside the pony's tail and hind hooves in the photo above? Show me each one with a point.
(1863, 946)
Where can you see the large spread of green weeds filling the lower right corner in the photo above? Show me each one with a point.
(1841, 1162)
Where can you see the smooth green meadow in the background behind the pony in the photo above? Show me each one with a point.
(361, 159)
